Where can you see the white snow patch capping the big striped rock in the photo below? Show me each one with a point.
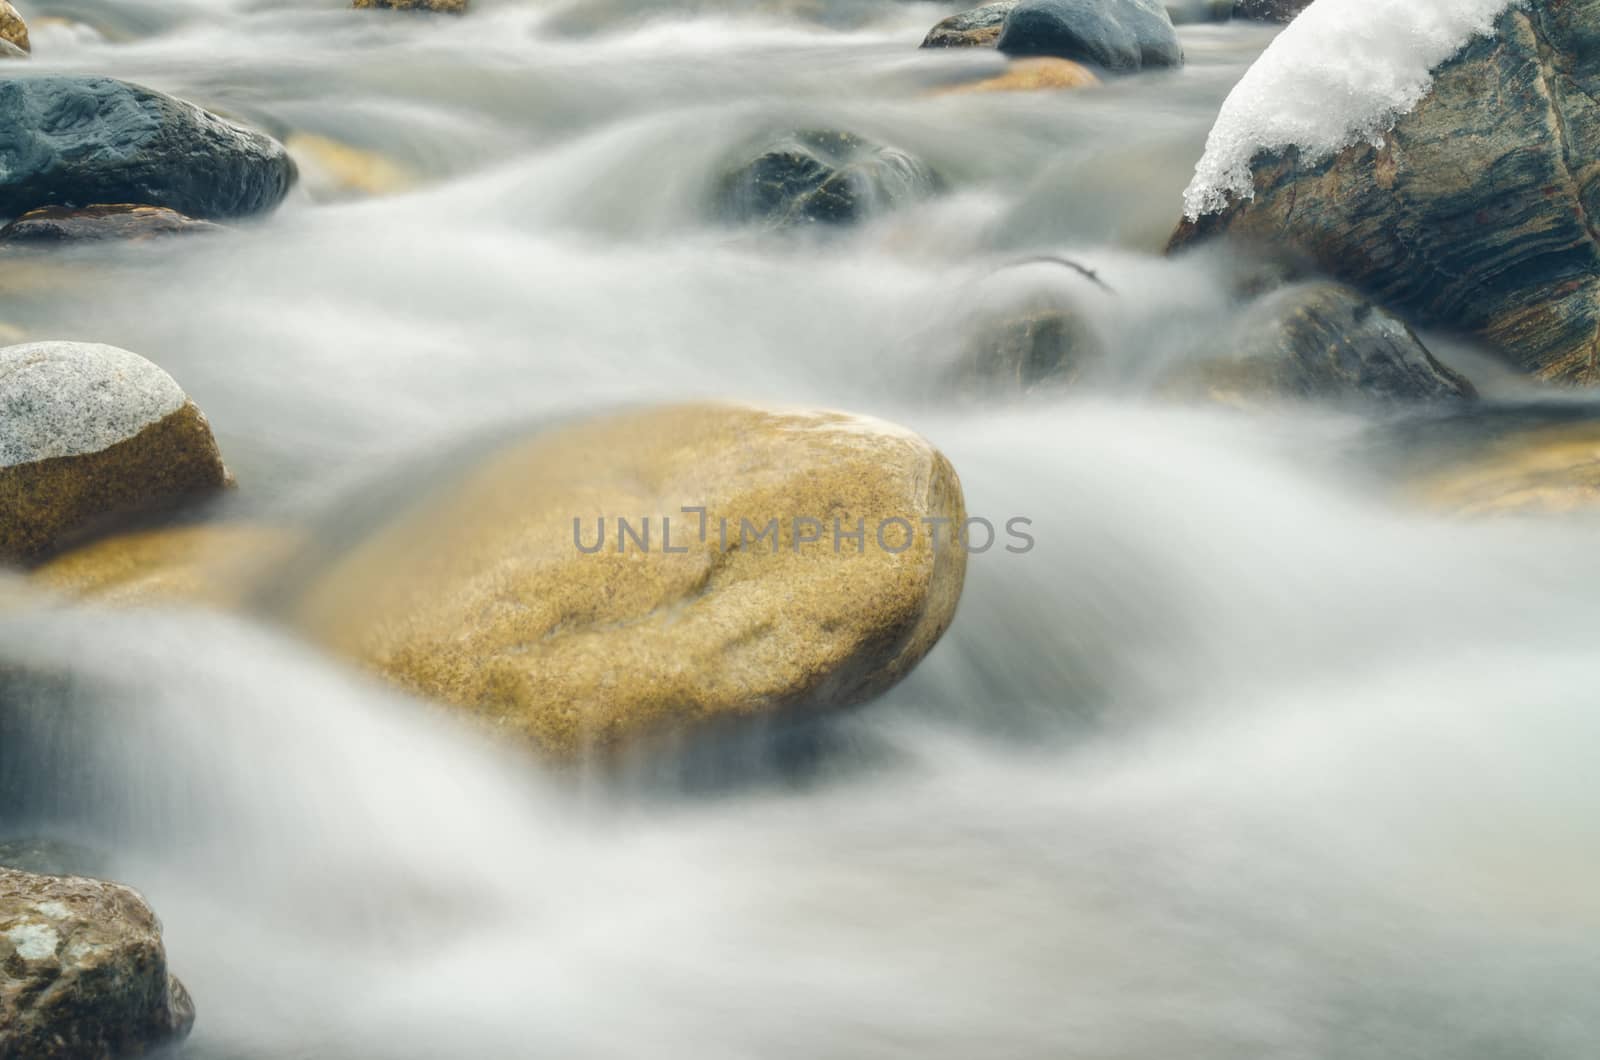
(1343, 73)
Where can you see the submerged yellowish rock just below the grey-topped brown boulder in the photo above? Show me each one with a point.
(214, 564)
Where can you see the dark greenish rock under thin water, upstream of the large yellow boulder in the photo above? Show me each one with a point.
(822, 177)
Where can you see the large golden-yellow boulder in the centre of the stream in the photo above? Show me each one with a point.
(516, 593)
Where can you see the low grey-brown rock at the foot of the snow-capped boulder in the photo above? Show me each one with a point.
(1322, 342)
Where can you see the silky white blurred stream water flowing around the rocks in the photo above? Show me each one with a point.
(1244, 760)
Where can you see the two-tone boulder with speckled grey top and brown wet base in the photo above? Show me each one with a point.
(92, 435)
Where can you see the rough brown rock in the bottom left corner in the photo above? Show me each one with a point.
(84, 971)
